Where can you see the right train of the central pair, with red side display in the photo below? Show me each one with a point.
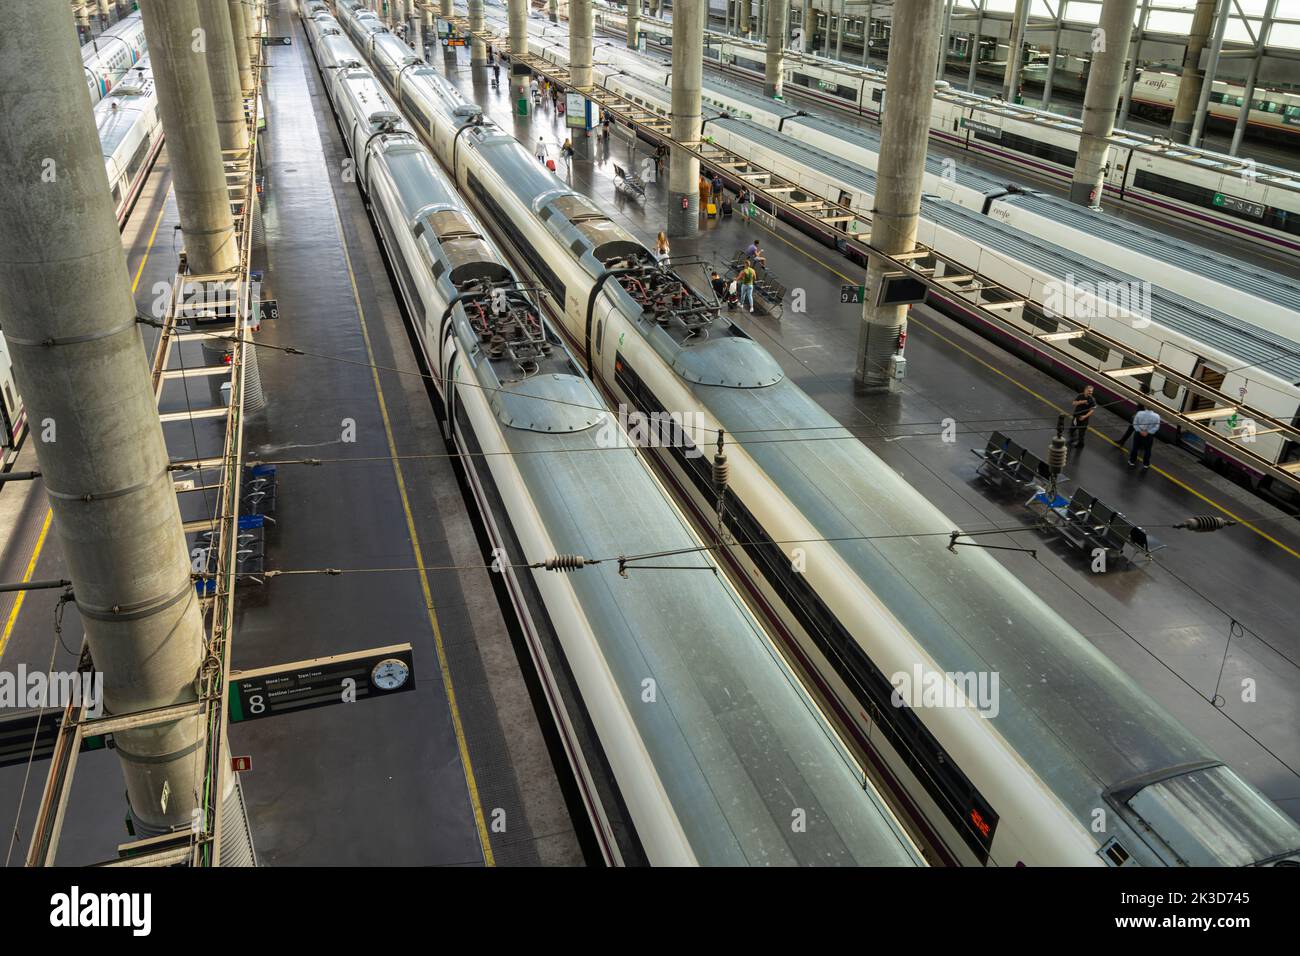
(1058, 758)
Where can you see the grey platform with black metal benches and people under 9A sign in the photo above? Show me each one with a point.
(1206, 616)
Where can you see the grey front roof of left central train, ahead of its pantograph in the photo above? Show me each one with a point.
(733, 736)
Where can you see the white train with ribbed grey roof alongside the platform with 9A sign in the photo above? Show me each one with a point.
(1223, 322)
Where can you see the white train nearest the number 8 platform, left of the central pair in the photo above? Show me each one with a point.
(704, 742)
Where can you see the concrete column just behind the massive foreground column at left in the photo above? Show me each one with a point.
(189, 123)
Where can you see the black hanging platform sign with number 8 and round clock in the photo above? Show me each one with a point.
(324, 681)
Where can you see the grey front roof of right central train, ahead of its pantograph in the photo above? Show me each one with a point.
(1067, 710)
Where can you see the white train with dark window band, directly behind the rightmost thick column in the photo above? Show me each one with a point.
(1251, 201)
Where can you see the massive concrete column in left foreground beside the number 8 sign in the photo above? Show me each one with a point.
(70, 323)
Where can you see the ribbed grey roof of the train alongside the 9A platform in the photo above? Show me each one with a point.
(1250, 344)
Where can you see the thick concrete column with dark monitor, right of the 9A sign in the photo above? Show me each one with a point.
(909, 96)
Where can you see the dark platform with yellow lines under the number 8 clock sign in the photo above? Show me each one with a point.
(458, 772)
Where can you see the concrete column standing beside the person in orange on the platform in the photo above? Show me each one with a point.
(688, 76)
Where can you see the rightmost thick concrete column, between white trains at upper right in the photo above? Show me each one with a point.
(1100, 101)
